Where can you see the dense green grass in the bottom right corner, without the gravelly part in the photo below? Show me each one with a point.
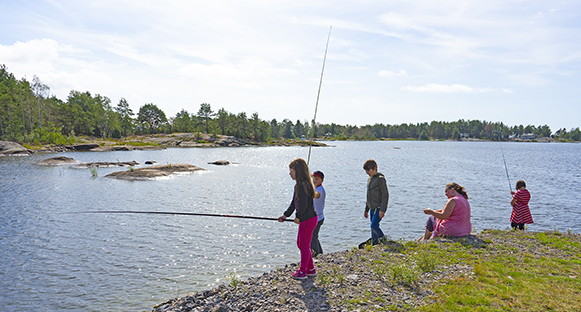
(510, 279)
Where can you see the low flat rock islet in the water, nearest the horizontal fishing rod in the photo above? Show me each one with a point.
(152, 172)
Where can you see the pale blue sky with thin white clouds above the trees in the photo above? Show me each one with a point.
(389, 62)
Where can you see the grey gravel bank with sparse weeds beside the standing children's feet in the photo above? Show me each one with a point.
(354, 280)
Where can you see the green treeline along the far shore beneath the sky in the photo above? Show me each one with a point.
(29, 113)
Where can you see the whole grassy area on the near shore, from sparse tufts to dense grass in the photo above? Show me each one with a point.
(496, 270)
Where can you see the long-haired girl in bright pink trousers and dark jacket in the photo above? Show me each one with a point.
(306, 216)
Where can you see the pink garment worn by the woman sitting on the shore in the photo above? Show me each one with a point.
(458, 224)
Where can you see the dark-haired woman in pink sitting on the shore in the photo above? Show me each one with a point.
(454, 218)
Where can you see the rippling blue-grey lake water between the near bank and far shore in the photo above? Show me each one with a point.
(53, 260)
